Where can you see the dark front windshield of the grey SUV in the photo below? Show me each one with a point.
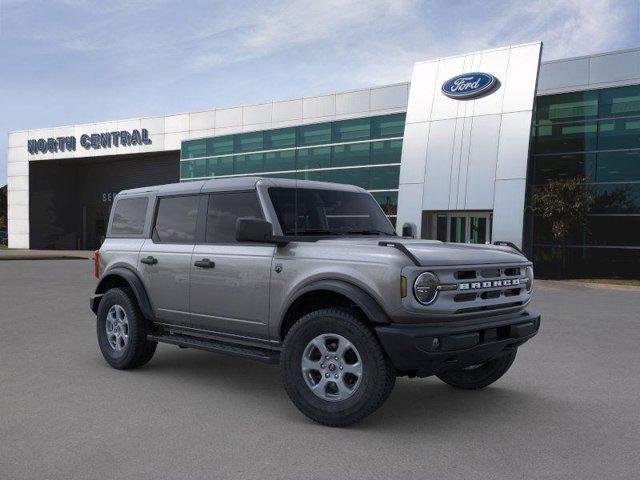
(307, 211)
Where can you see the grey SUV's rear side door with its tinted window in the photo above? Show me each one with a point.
(165, 259)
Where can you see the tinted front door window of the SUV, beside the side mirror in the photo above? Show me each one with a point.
(224, 209)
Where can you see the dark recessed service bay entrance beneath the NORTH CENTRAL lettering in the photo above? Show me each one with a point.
(70, 200)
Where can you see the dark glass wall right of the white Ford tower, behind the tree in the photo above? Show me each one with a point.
(593, 136)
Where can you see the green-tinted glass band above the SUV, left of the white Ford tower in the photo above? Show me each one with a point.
(363, 151)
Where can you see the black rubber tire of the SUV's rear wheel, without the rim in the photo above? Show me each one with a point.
(138, 350)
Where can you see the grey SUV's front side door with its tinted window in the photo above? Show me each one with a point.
(230, 280)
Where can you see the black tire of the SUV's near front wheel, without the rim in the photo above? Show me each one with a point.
(377, 380)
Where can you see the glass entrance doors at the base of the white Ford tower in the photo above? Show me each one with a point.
(463, 227)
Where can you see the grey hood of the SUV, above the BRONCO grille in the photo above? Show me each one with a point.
(435, 253)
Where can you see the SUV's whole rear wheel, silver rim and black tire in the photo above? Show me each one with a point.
(122, 330)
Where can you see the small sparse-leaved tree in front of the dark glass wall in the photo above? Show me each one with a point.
(565, 204)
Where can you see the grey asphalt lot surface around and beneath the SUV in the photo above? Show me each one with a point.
(568, 408)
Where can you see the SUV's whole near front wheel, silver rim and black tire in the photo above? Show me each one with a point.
(334, 368)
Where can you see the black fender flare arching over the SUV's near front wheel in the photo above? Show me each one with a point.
(369, 306)
